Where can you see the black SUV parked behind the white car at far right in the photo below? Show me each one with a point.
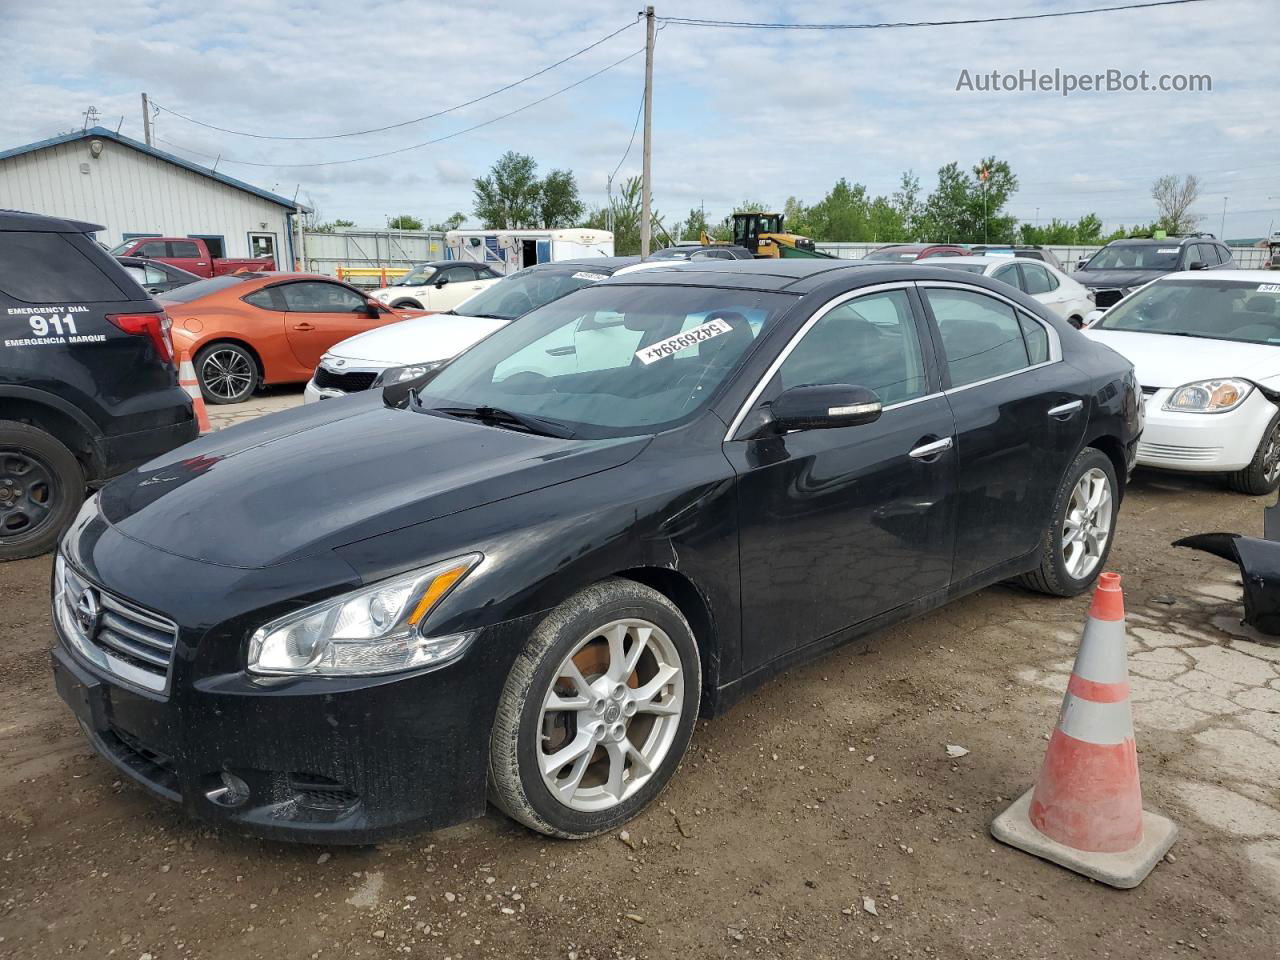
(1123, 266)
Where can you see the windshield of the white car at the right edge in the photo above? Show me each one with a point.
(1227, 310)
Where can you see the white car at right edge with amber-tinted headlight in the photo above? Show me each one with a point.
(1206, 349)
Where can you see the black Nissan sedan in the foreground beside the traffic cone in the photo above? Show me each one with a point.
(525, 577)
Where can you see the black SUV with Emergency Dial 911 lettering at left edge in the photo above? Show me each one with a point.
(89, 387)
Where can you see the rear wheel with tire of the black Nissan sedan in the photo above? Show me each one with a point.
(1081, 531)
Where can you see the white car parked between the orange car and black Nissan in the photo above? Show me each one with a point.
(414, 348)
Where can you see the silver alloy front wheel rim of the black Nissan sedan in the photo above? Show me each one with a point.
(611, 715)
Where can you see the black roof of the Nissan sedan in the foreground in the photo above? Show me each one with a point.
(799, 276)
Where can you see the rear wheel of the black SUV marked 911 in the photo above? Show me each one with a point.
(42, 488)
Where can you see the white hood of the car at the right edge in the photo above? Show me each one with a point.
(1160, 360)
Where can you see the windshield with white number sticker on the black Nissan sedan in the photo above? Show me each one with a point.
(612, 360)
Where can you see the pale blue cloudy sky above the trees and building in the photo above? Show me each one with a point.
(738, 113)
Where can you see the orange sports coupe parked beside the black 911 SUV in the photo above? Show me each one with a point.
(249, 330)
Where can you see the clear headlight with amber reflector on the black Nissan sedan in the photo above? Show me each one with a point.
(369, 632)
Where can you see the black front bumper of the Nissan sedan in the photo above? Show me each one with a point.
(333, 761)
